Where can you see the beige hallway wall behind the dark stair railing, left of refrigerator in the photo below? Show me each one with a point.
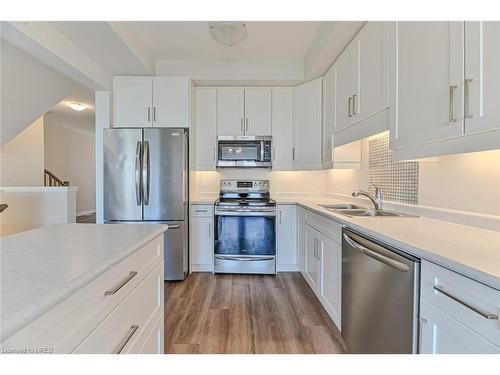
(70, 155)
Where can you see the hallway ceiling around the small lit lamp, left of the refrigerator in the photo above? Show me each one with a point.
(63, 115)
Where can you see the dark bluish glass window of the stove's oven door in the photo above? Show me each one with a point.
(245, 235)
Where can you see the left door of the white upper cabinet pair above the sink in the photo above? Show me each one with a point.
(343, 95)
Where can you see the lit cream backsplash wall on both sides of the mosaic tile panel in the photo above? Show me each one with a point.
(466, 182)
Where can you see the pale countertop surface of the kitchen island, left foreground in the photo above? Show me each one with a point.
(43, 266)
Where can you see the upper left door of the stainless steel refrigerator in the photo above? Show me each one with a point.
(122, 174)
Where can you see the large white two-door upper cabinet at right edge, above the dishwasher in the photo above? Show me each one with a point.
(447, 88)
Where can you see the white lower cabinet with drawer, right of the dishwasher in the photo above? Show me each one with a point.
(457, 315)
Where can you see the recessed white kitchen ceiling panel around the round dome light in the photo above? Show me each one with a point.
(266, 41)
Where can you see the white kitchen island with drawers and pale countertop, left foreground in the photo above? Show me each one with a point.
(83, 288)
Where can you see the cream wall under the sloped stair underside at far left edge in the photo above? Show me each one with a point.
(22, 159)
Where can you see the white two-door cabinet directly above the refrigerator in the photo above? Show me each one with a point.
(151, 102)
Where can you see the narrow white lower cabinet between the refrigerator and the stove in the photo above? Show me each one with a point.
(201, 244)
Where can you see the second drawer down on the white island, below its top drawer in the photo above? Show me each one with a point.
(122, 330)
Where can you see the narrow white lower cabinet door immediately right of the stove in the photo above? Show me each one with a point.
(286, 238)
